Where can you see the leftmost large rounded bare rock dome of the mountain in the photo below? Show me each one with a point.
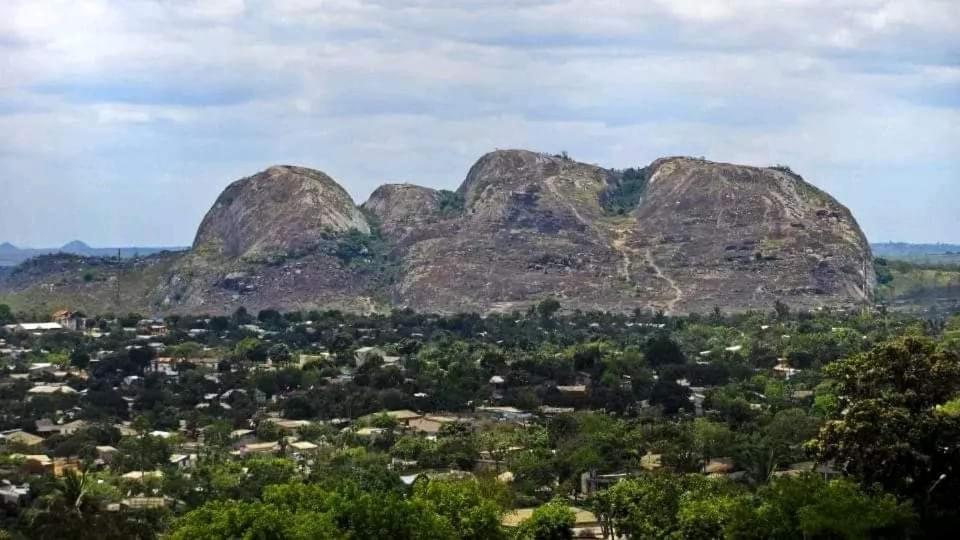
(281, 210)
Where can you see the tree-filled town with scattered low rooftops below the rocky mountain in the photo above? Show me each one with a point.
(598, 424)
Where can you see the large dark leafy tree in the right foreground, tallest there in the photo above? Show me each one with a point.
(889, 427)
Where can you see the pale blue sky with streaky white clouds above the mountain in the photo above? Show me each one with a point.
(121, 121)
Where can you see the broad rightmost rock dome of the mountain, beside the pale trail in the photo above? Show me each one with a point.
(715, 234)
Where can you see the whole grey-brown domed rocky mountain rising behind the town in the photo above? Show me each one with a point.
(681, 235)
